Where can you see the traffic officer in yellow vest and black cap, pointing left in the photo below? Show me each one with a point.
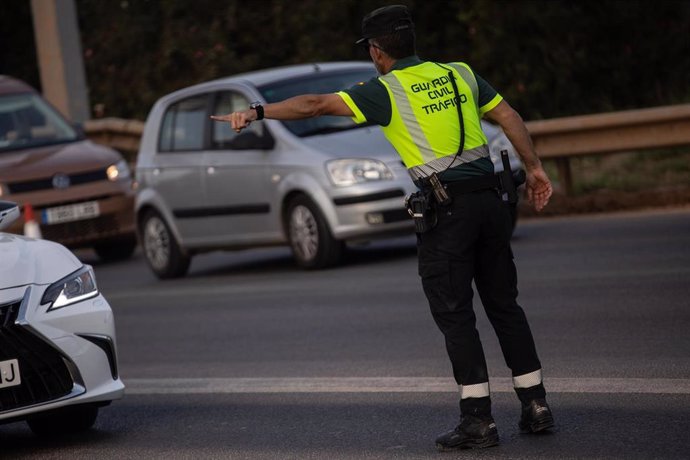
(431, 114)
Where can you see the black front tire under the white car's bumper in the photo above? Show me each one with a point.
(62, 421)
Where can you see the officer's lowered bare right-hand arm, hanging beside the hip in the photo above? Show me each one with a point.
(538, 186)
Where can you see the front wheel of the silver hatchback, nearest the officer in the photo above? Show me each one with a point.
(311, 241)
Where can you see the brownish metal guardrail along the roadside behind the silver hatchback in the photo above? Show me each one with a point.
(557, 139)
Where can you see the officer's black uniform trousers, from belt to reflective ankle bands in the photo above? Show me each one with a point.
(472, 242)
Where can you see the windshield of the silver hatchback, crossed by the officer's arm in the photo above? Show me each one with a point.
(318, 83)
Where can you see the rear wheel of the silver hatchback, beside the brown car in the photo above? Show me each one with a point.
(163, 255)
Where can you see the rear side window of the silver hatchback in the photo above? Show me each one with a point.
(184, 123)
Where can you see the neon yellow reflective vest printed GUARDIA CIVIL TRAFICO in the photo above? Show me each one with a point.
(425, 127)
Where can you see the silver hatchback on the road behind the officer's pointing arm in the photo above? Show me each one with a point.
(313, 184)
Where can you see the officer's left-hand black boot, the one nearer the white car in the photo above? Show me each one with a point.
(472, 433)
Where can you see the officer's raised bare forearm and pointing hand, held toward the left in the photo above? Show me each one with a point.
(295, 108)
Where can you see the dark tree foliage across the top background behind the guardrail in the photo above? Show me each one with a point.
(549, 58)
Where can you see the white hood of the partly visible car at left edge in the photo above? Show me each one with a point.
(26, 261)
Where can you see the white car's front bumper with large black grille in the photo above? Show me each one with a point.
(63, 357)
